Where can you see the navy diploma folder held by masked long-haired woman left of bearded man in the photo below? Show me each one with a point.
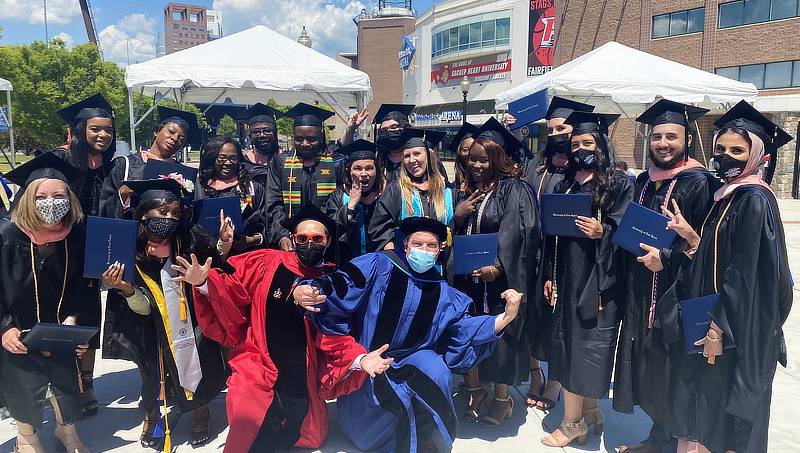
(559, 212)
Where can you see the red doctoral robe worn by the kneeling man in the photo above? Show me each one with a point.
(235, 314)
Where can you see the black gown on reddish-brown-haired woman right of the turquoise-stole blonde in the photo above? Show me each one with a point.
(511, 212)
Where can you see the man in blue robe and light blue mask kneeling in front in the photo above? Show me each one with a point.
(398, 298)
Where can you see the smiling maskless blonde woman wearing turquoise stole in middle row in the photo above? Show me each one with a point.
(419, 191)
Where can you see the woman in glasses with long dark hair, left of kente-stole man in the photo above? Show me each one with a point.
(223, 173)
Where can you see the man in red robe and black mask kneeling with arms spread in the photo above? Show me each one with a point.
(283, 369)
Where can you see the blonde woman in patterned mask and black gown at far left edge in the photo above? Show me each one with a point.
(41, 257)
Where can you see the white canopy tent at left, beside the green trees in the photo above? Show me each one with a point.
(248, 67)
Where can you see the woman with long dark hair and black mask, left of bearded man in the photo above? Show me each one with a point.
(582, 282)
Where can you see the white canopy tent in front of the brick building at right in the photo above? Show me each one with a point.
(619, 79)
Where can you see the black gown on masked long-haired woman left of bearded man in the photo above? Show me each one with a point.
(578, 338)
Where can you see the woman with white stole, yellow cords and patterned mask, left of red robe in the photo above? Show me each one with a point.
(151, 321)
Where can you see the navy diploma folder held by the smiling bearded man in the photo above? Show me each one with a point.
(642, 225)
